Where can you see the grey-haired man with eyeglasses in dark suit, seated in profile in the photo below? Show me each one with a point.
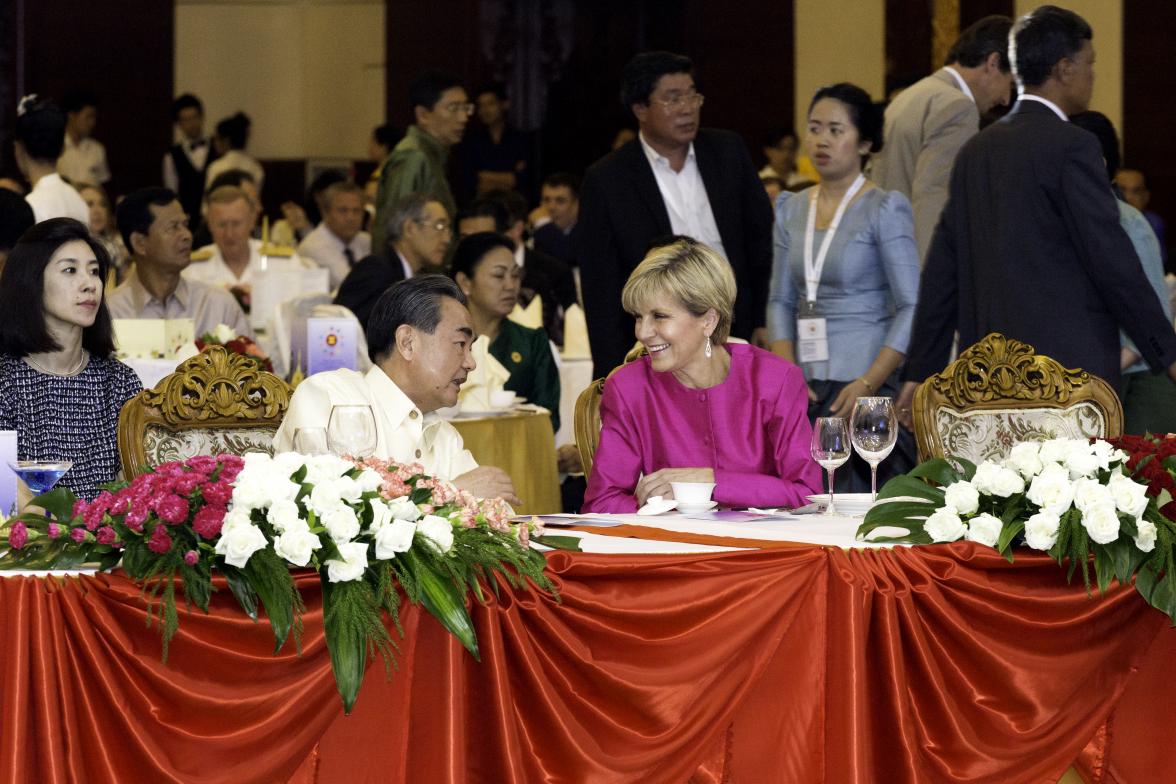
(419, 234)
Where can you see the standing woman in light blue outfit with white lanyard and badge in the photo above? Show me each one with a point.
(845, 279)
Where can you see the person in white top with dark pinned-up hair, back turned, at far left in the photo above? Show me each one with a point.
(41, 132)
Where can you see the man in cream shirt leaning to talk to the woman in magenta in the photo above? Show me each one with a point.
(419, 338)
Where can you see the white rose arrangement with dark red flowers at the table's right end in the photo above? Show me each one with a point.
(1068, 498)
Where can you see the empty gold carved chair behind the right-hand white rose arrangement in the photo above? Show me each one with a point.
(1000, 393)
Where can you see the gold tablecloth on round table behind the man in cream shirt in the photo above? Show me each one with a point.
(523, 445)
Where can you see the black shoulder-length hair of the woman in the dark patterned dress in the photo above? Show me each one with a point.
(23, 329)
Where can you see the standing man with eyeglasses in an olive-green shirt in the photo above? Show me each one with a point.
(418, 164)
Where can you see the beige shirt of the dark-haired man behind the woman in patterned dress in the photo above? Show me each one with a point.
(208, 306)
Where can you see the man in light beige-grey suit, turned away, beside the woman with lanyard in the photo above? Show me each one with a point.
(930, 122)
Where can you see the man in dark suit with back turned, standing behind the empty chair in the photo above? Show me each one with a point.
(1030, 244)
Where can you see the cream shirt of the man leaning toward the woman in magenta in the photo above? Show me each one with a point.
(403, 433)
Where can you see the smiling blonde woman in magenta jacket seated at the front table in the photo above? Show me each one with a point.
(697, 408)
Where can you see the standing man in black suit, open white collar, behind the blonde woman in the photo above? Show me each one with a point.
(673, 179)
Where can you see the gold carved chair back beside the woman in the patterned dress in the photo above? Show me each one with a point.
(216, 403)
